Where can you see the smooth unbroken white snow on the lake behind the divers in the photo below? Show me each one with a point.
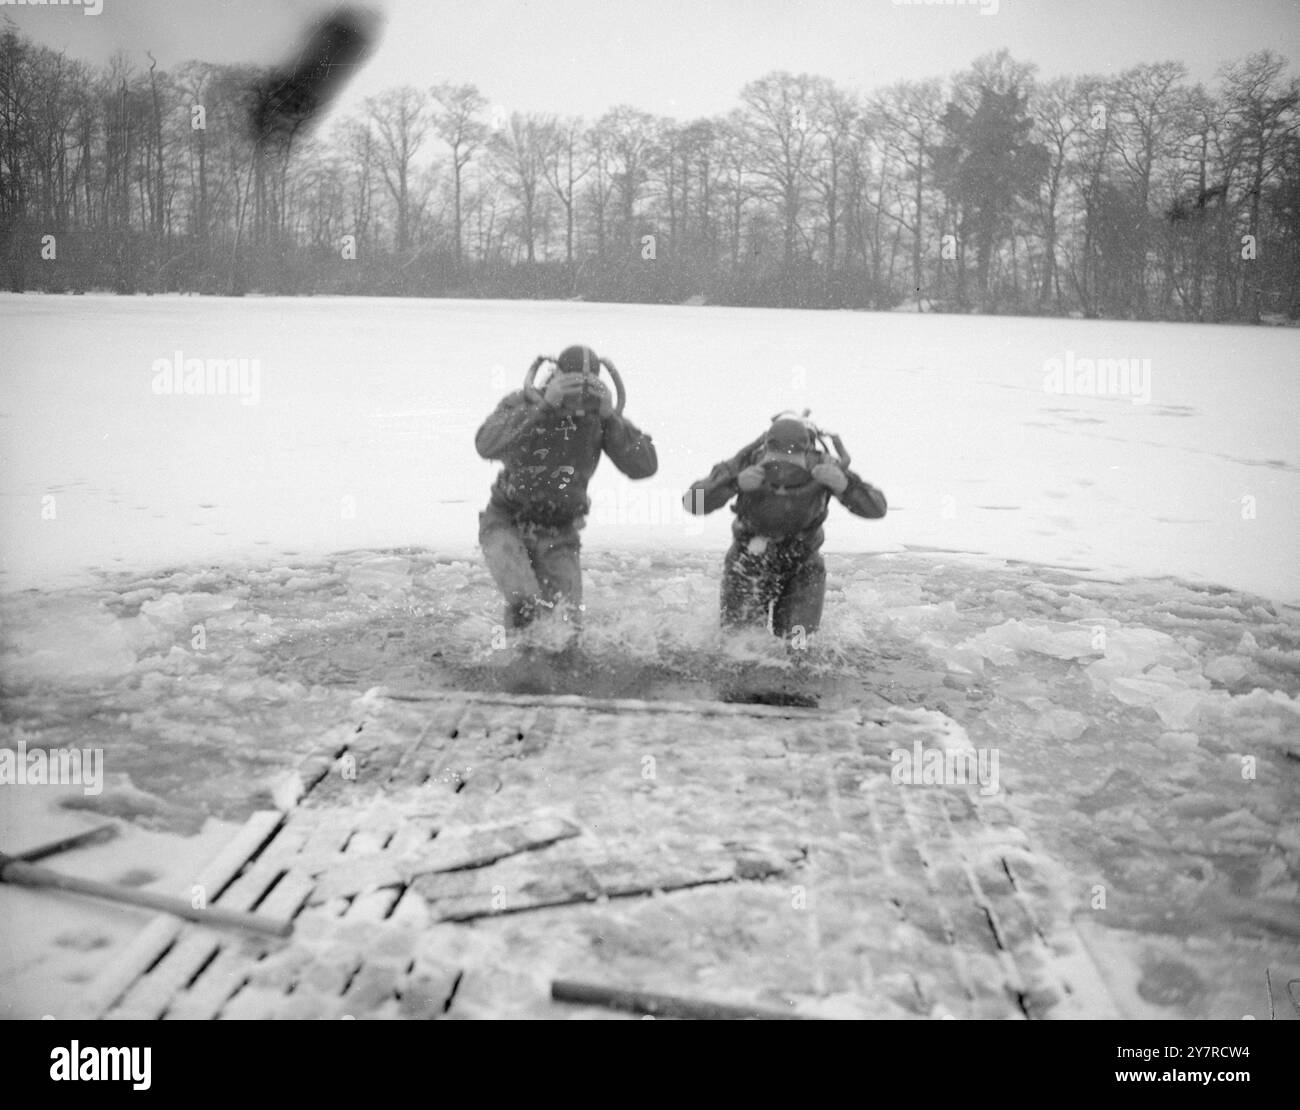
(356, 430)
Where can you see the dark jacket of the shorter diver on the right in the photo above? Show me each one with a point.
(787, 514)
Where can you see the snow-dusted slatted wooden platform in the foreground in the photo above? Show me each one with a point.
(453, 856)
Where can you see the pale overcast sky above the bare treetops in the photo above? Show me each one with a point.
(682, 58)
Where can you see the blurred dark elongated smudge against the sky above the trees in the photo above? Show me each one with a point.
(291, 97)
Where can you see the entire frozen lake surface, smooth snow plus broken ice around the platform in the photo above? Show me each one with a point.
(1128, 641)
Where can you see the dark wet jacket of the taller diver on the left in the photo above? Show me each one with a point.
(551, 456)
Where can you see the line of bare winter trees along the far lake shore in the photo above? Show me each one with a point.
(1132, 197)
